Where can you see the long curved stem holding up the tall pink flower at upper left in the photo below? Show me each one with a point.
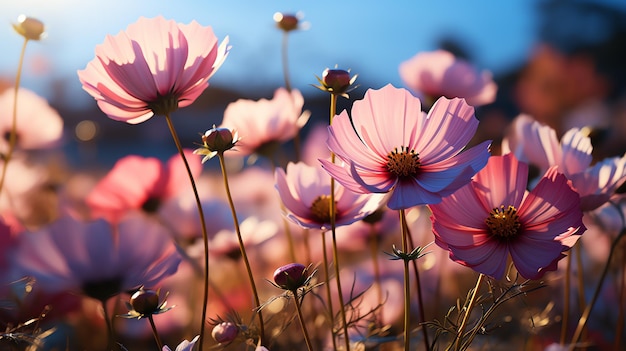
(205, 237)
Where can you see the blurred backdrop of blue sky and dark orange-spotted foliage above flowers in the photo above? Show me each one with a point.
(547, 56)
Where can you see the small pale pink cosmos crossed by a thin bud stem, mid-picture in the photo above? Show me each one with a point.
(305, 191)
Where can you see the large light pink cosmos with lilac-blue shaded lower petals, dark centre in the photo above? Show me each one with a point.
(396, 148)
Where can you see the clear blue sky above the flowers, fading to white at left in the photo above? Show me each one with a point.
(371, 37)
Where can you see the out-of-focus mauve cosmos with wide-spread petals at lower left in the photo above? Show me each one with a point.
(96, 258)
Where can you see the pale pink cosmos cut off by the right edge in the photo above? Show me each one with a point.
(537, 144)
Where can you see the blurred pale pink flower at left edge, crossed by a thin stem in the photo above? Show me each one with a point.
(38, 125)
